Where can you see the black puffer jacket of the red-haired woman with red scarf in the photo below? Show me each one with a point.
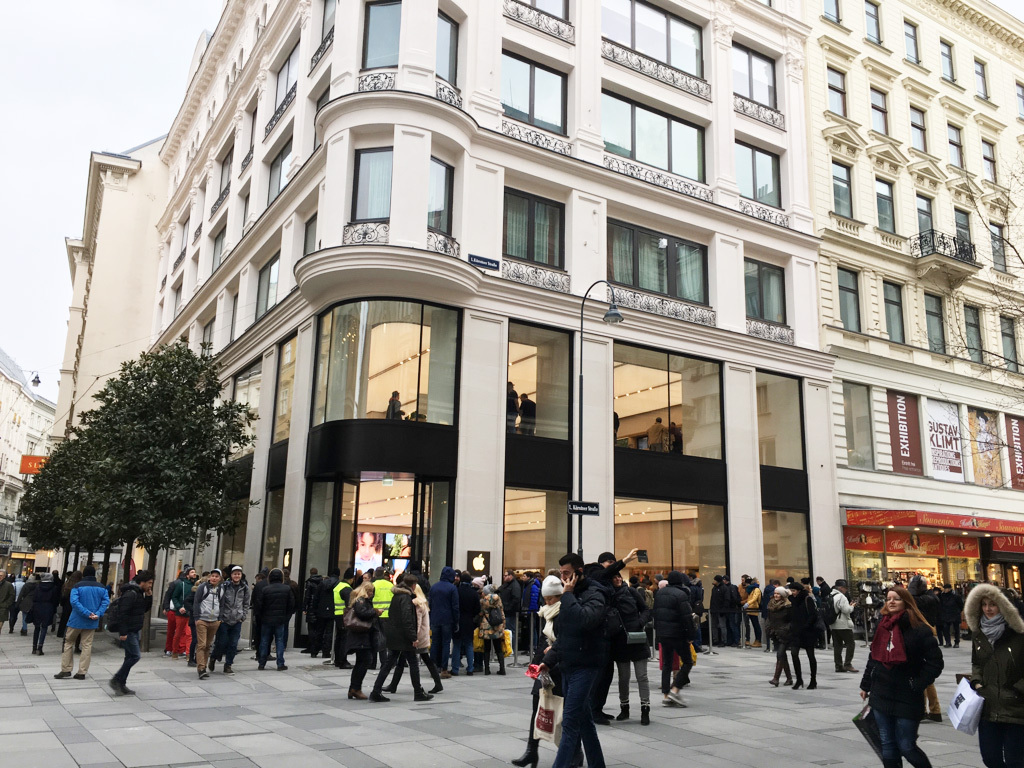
(900, 692)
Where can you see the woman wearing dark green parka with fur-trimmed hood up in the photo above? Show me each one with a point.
(998, 674)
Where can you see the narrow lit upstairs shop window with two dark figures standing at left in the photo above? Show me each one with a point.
(540, 373)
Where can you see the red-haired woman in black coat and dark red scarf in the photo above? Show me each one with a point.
(905, 660)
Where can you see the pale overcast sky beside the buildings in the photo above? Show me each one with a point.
(105, 75)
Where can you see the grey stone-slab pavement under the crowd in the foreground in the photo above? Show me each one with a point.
(303, 718)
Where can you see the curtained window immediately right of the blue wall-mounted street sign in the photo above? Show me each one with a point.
(534, 229)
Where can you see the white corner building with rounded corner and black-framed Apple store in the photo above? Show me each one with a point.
(385, 217)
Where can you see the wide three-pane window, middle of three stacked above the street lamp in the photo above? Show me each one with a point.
(652, 138)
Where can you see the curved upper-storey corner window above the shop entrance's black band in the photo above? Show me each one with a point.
(388, 360)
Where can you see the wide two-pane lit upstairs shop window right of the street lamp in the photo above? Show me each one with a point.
(667, 403)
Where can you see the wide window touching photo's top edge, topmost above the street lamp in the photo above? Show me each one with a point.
(654, 33)
